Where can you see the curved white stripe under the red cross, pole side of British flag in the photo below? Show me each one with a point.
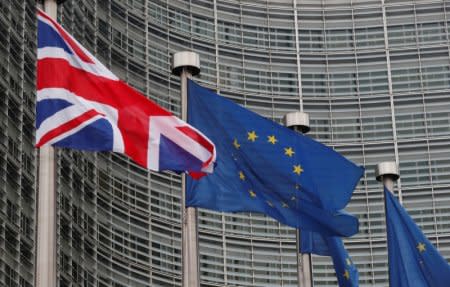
(110, 113)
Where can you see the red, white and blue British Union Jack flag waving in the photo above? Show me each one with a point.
(82, 105)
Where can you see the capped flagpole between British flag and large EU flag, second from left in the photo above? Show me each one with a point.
(185, 65)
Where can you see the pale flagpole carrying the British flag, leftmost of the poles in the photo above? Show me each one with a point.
(45, 268)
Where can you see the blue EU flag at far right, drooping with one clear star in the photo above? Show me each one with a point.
(413, 260)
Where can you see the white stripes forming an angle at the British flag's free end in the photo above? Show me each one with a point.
(167, 126)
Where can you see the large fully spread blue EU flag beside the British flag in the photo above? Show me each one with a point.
(264, 167)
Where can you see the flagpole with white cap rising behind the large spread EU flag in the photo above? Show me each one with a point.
(299, 122)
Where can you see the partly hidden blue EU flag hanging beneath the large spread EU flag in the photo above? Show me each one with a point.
(346, 271)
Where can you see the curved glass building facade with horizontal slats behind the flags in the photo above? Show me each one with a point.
(374, 77)
